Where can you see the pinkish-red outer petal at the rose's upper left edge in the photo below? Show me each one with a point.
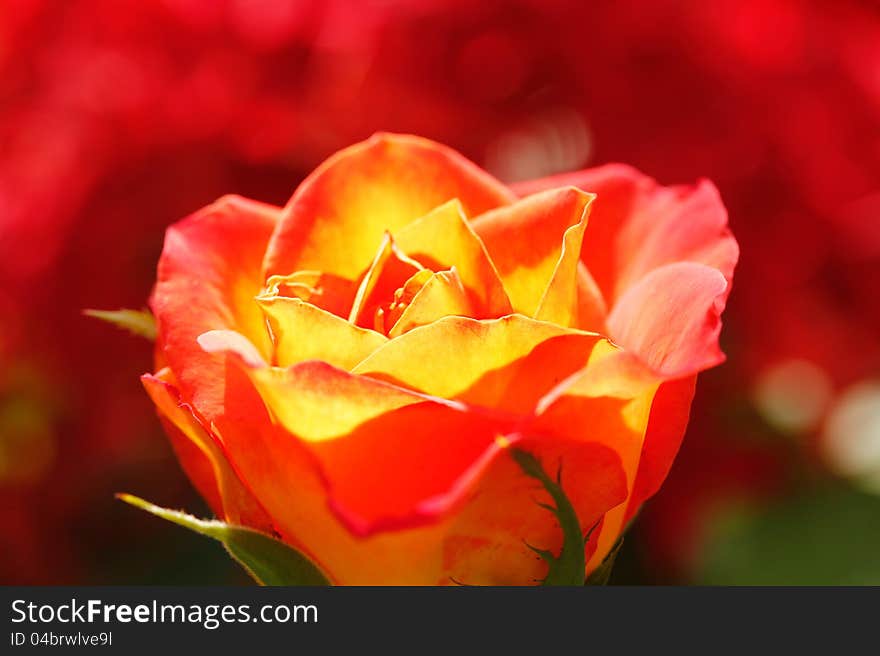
(209, 273)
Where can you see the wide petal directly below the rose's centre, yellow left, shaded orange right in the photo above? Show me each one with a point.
(504, 364)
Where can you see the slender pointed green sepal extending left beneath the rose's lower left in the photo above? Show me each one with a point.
(267, 560)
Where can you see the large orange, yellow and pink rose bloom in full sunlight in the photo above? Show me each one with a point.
(352, 371)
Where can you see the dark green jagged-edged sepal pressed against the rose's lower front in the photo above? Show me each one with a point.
(568, 567)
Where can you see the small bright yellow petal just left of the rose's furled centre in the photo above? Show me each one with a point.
(302, 331)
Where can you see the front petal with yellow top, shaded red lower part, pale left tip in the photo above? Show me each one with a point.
(372, 440)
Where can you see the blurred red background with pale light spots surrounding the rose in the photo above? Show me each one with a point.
(118, 117)
